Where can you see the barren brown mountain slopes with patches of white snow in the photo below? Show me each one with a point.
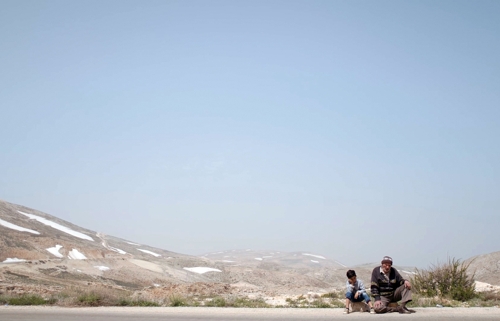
(40, 252)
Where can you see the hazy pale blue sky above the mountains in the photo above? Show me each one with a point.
(349, 129)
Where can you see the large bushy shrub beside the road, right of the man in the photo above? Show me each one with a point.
(448, 280)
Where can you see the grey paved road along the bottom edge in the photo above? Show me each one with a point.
(13, 313)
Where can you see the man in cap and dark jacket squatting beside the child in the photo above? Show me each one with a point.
(388, 286)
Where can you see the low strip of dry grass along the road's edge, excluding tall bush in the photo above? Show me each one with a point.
(93, 296)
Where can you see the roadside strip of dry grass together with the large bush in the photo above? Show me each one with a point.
(447, 285)
